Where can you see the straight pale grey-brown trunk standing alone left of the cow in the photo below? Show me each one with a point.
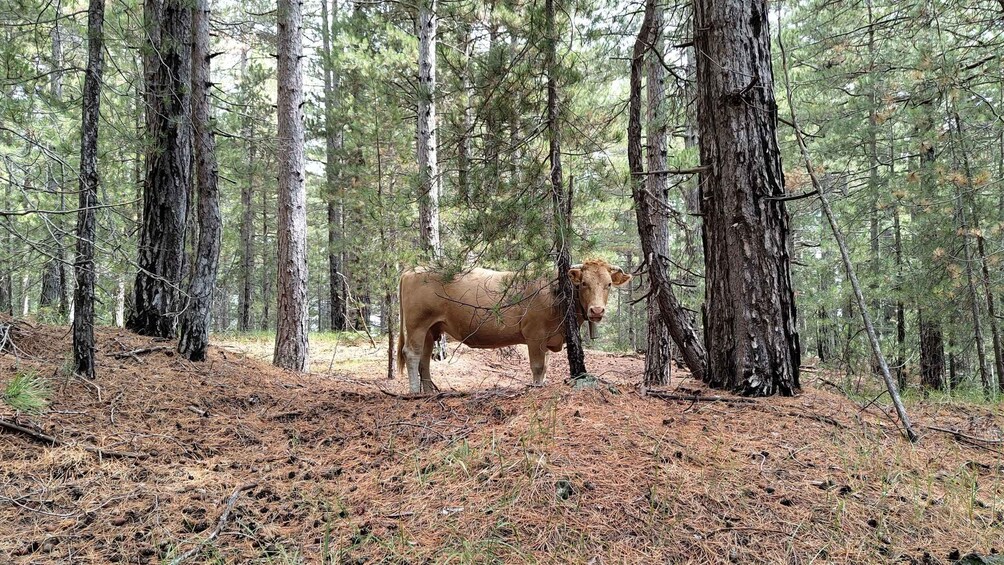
(292, 349)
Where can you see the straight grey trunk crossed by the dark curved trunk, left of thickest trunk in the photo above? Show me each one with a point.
(659, 355)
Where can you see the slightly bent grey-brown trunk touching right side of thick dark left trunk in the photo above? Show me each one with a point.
(195, 322)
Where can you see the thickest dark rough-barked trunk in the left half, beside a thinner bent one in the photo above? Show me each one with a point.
(168, 66)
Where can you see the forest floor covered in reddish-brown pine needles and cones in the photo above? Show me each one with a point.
(234, 461)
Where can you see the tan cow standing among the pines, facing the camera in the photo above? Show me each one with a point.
(491, 310)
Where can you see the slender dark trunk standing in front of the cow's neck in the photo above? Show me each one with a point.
(561, 202)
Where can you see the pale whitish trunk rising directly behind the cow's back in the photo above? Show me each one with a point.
(429, 178)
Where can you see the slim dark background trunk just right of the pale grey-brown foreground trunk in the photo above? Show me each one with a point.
(334, 192)
